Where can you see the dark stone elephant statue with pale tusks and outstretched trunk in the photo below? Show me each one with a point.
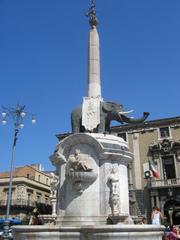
(109, 111)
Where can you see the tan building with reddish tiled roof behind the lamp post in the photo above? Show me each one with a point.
(30, 189)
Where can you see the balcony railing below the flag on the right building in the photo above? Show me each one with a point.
(174, 182)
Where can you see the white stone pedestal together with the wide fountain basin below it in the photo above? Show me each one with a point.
(93, 196)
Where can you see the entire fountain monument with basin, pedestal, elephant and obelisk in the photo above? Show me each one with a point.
(92, 195)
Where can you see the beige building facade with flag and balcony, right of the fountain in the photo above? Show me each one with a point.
(156, 147)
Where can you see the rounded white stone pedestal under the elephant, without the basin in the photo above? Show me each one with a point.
(93, 179)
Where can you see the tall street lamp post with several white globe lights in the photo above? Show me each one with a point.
(17, 114)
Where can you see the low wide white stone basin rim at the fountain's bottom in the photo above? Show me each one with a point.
(105, 232)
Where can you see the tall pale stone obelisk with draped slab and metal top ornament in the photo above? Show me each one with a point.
(91, 103)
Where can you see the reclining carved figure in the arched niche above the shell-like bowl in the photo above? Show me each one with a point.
(78, 163)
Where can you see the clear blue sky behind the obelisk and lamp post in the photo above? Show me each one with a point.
(43, 64)
